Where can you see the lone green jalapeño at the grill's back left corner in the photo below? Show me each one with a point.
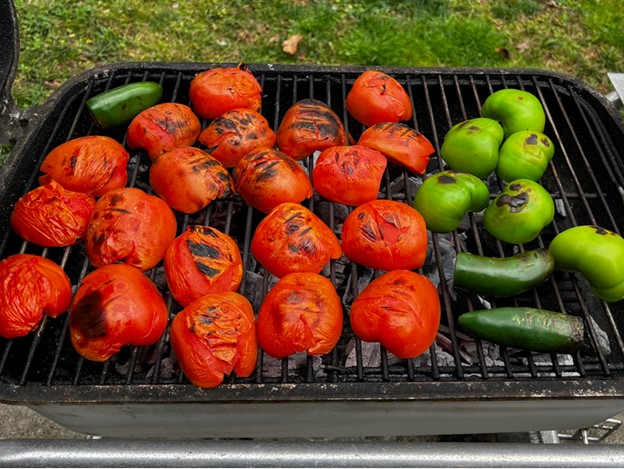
(120, 105)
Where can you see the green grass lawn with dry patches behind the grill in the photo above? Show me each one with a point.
(60, 38)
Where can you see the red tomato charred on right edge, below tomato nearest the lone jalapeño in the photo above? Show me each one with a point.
(189, 179)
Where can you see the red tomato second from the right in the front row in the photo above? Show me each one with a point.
(301, 313)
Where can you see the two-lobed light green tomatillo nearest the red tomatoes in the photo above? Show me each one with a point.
(444, 198)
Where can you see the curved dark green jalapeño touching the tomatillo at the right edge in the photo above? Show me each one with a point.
(502, 276)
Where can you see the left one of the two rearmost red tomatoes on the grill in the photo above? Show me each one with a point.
(216, 91)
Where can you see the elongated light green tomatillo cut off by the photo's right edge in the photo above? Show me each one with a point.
(595, 252)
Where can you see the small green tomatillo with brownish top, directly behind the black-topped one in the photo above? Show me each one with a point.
(524, 155)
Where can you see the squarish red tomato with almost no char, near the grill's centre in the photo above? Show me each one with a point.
(349, 175)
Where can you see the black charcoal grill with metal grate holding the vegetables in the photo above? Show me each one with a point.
(457, 387)
